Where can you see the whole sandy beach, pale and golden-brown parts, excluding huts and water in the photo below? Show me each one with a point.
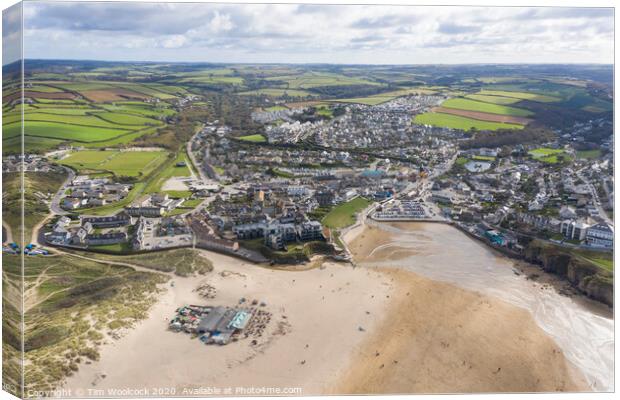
(338, 329)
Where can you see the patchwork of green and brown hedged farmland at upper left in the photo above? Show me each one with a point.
(89, 114)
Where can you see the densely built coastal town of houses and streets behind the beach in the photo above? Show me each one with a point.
(279, 195)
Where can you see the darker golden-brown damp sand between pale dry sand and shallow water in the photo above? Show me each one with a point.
(438, 338)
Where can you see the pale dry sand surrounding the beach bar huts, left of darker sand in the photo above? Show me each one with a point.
(317, 316)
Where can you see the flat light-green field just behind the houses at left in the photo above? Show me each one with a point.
(119, 163)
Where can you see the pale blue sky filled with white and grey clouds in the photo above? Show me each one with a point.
(316, 33)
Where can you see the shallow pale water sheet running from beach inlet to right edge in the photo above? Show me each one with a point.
(442, 252)
